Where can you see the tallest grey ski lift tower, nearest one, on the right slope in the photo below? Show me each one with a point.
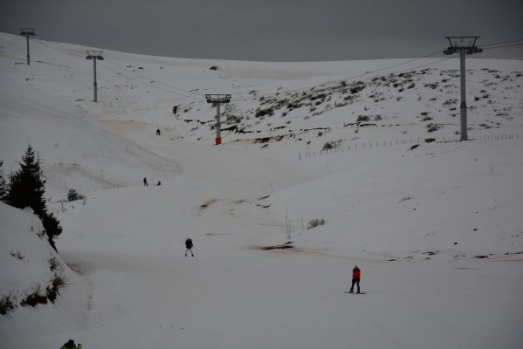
(463, 49)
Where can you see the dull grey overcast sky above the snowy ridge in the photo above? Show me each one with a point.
(272, 30)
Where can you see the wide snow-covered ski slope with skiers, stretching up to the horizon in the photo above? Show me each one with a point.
(435, 227)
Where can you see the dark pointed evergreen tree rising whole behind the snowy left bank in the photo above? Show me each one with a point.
(27, 188)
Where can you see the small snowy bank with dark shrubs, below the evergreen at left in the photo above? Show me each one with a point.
(28, 263)
